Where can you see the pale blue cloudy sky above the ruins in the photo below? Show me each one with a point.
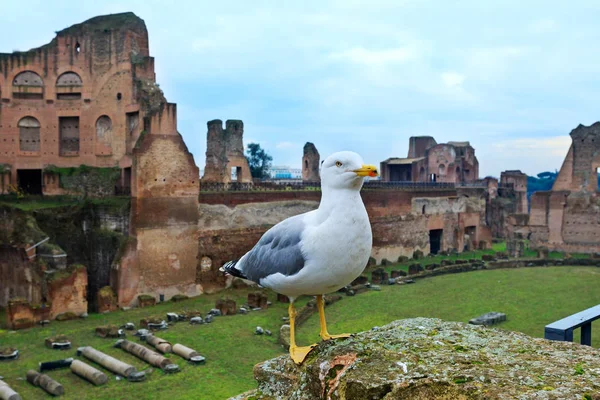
(513, 77)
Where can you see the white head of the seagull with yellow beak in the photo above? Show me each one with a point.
(345, 170)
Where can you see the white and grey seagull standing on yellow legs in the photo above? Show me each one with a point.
(317, 252)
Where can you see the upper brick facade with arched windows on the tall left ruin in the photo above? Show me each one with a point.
(81, 99)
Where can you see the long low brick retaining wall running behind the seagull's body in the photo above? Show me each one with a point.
(232, 222)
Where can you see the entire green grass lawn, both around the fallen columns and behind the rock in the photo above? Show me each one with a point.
(531, 298)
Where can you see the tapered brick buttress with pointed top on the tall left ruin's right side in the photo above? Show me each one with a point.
(161, 255)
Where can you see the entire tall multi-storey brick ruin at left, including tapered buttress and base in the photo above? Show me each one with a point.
(83, 116)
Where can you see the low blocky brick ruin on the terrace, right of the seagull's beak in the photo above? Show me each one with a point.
(429, 161)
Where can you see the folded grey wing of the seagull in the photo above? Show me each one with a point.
(278, 251)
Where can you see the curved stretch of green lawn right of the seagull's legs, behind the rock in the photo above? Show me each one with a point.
(531, 298)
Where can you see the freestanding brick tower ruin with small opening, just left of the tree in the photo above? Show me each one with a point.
(225, 160)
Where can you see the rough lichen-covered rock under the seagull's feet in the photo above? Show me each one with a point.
(425, 358)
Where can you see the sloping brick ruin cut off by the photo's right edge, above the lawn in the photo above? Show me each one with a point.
(566, 217)
